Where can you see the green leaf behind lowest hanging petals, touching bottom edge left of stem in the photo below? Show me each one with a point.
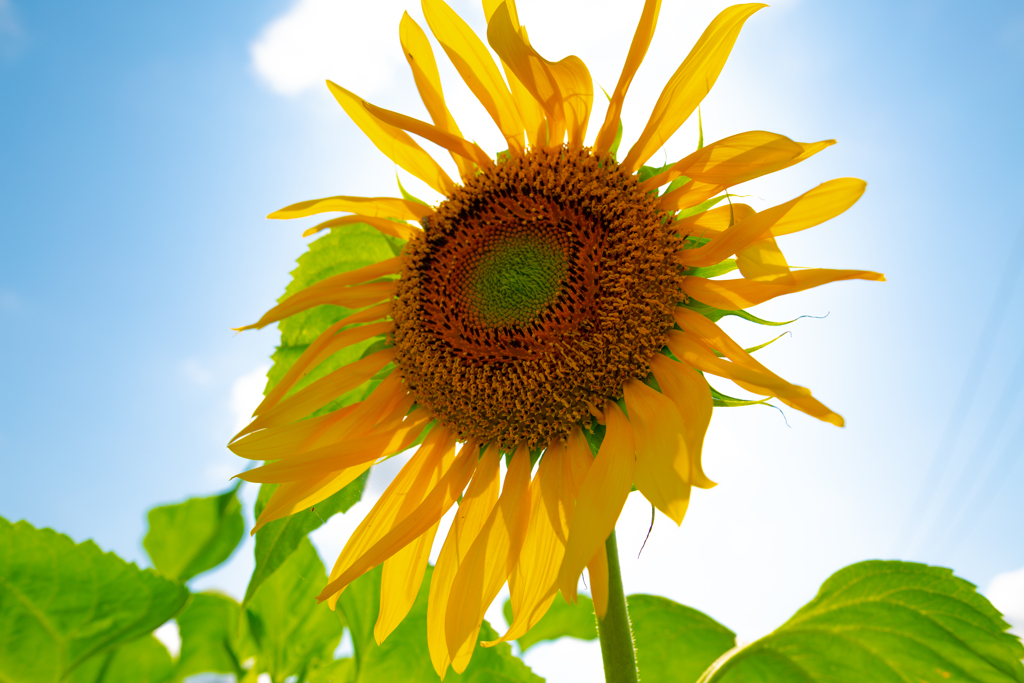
(405, 657)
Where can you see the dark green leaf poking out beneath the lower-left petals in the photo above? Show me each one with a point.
(277, 541)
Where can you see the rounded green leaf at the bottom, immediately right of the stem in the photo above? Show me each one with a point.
(674, 643)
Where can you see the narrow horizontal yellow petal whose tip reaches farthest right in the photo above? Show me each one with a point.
(742, 293)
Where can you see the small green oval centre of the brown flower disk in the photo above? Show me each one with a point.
(516, 280)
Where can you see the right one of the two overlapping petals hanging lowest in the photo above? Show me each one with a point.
(489, 563)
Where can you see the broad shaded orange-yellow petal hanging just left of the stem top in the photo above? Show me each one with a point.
(602, 499)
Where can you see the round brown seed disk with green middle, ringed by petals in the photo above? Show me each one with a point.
(544, 284)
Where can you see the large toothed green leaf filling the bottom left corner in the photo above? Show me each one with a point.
(62, 604)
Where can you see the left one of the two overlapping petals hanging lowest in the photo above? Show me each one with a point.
(473, 515)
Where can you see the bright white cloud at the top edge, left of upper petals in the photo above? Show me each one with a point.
(355, 45)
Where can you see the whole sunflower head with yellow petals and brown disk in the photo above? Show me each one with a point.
(558, 310)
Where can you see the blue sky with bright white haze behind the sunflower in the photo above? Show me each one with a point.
(143, 144)
